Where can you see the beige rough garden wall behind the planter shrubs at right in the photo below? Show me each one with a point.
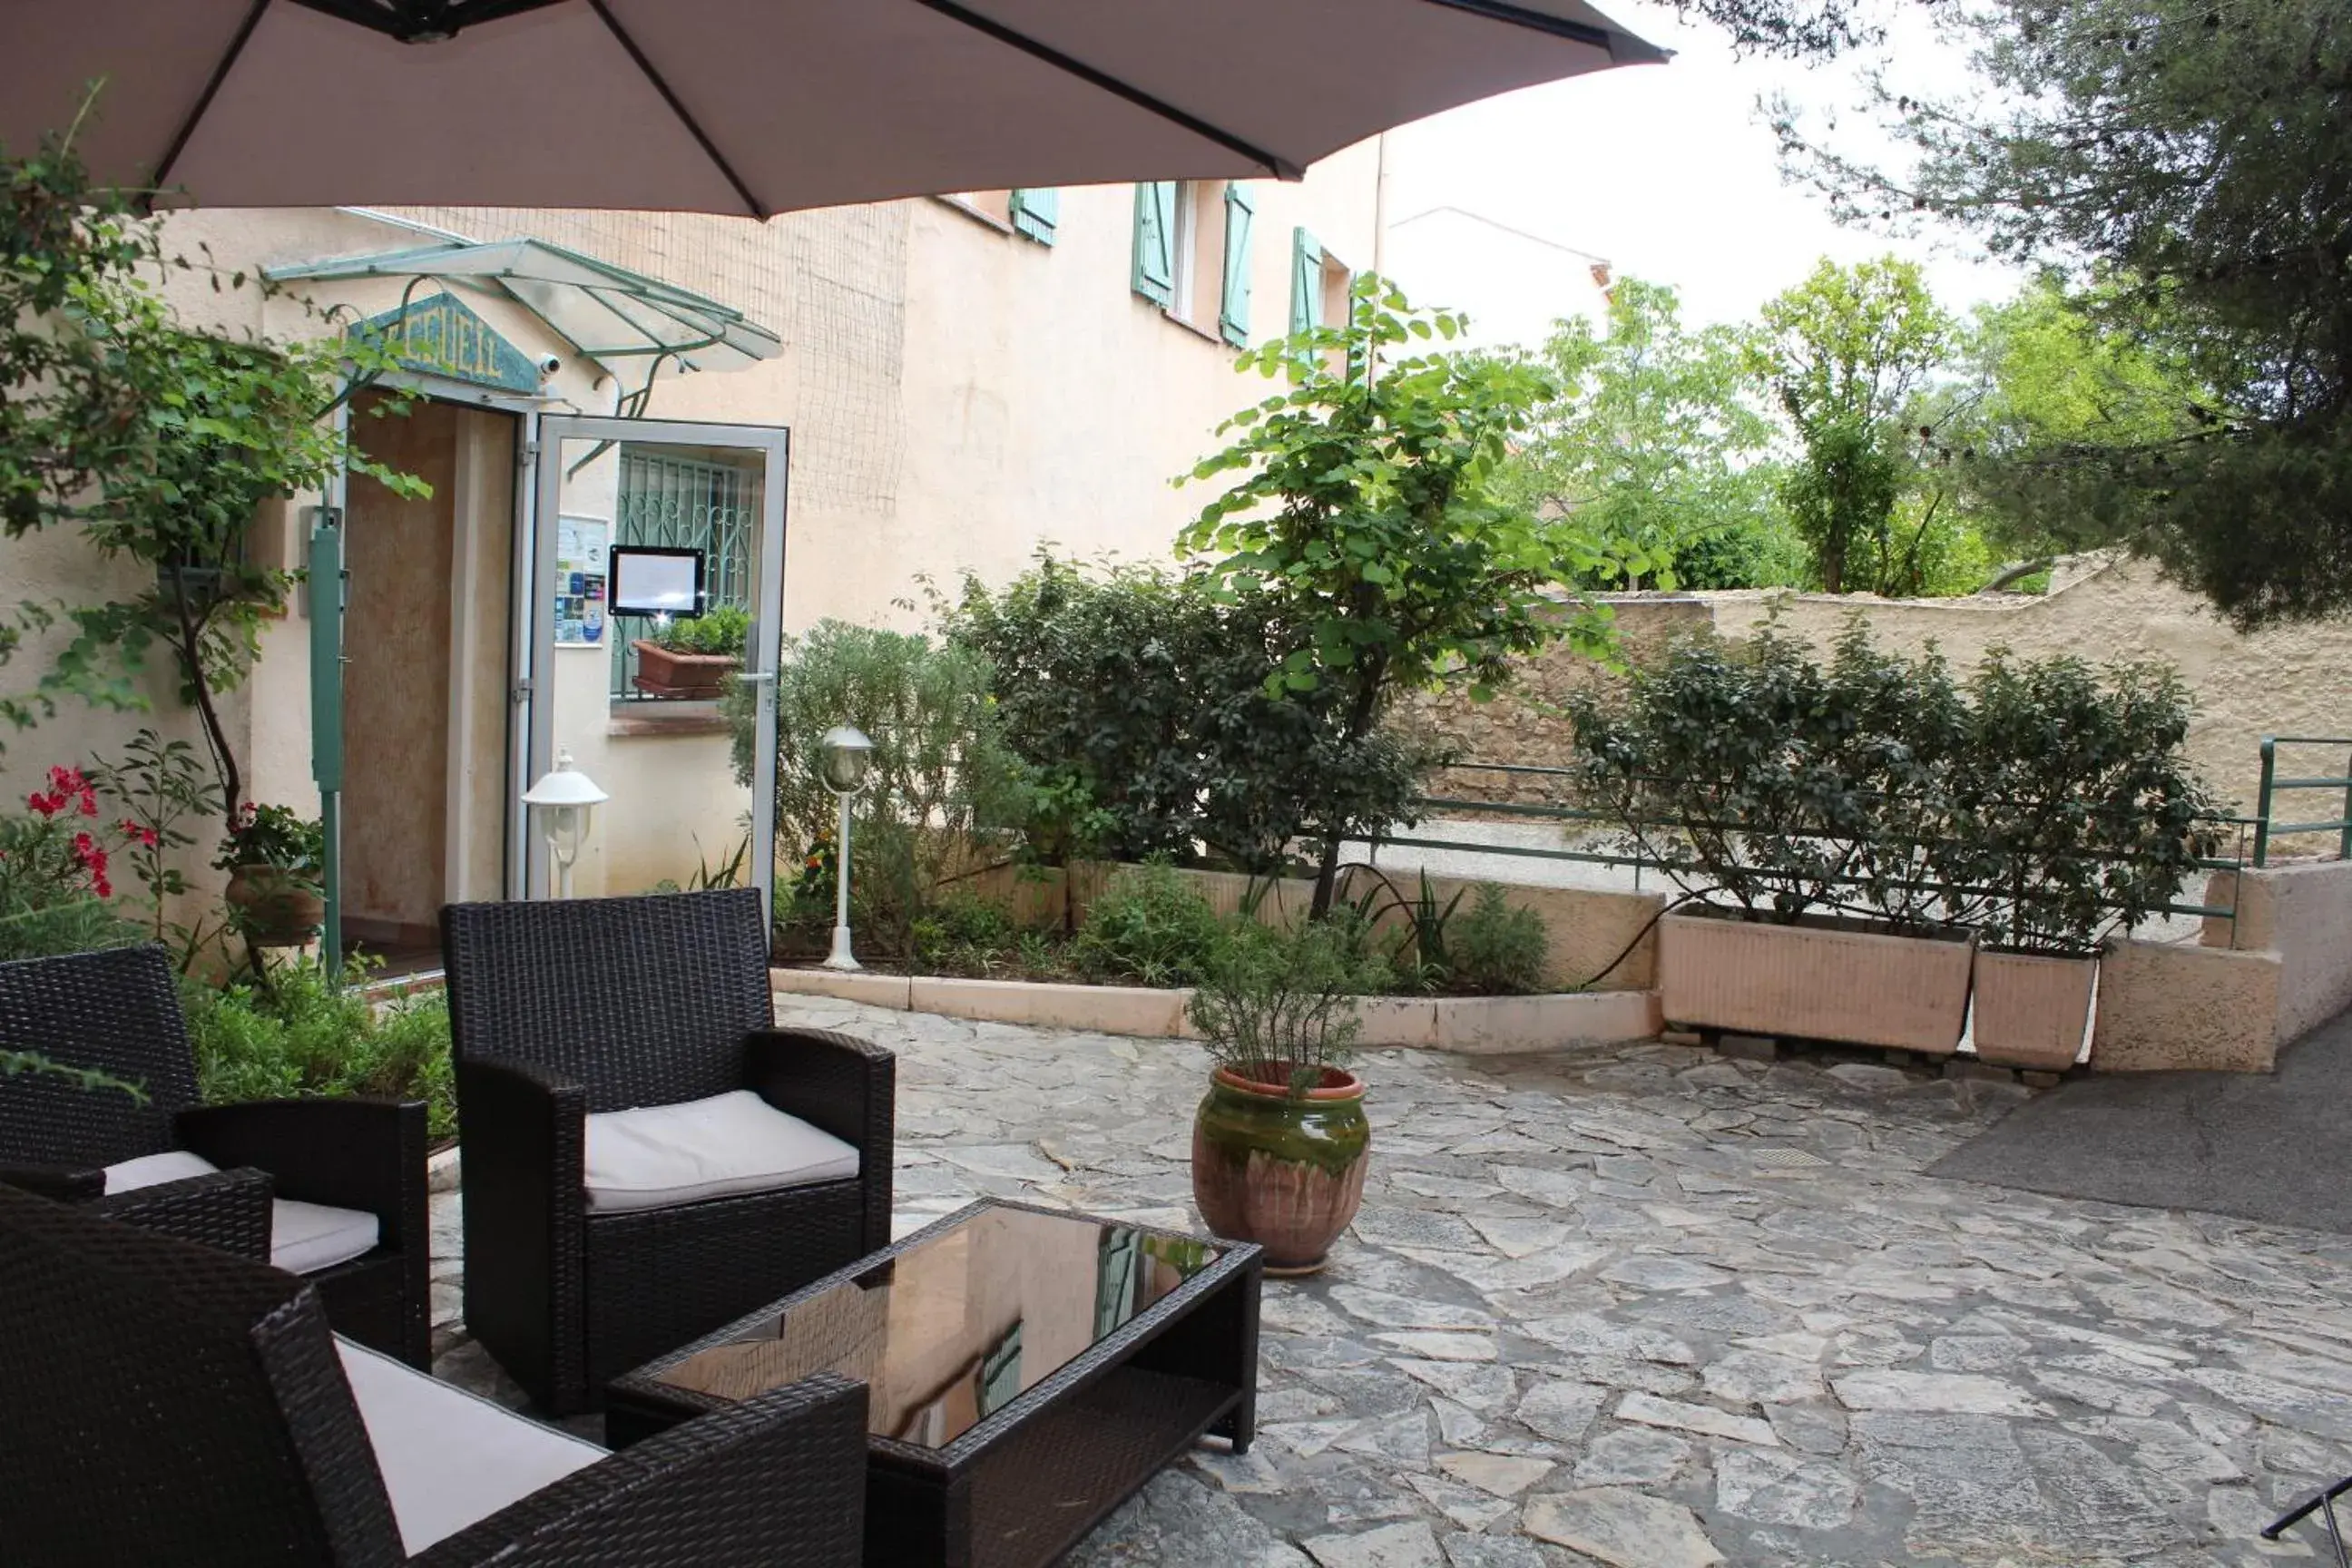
(2290, 681)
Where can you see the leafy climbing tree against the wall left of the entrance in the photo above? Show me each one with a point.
(156, 441)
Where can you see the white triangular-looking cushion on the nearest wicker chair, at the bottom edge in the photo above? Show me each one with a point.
(450, 1459)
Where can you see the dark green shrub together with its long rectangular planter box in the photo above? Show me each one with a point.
(1800, 808)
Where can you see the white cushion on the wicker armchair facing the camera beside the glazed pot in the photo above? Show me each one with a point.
(711, 1148)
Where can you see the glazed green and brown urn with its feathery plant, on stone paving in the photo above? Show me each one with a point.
(1281, 1139)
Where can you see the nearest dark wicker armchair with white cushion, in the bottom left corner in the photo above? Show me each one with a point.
(175, 1405)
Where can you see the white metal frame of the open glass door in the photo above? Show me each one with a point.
(535, 619)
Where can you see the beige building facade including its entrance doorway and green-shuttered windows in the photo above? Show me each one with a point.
(942, 387)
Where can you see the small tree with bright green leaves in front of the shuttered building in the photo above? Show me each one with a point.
(1365, 504)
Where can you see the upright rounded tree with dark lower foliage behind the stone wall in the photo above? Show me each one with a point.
(1847, 351)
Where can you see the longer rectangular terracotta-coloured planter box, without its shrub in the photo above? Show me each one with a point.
(1815, 981)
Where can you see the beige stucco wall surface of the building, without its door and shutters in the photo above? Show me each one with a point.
(956, 396)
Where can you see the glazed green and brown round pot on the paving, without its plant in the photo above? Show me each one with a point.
(1276, 1170)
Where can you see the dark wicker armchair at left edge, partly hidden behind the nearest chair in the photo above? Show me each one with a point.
(354, 1165)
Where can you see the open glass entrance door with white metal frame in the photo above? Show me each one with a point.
(655, 626)
